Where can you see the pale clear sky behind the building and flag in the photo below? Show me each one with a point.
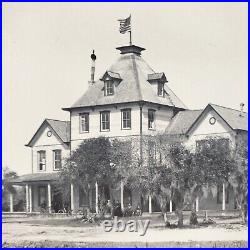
(201, 47)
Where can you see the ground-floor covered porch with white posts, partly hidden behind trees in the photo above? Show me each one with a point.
(41, 196)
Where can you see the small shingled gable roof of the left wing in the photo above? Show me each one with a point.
(61, 129)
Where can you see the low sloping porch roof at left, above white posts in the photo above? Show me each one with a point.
(37, 177)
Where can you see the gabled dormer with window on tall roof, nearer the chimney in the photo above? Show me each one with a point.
(110, 80)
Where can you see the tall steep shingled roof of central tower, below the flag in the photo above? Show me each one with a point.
(134, 86)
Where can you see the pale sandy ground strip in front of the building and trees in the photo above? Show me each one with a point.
(14, 230)
